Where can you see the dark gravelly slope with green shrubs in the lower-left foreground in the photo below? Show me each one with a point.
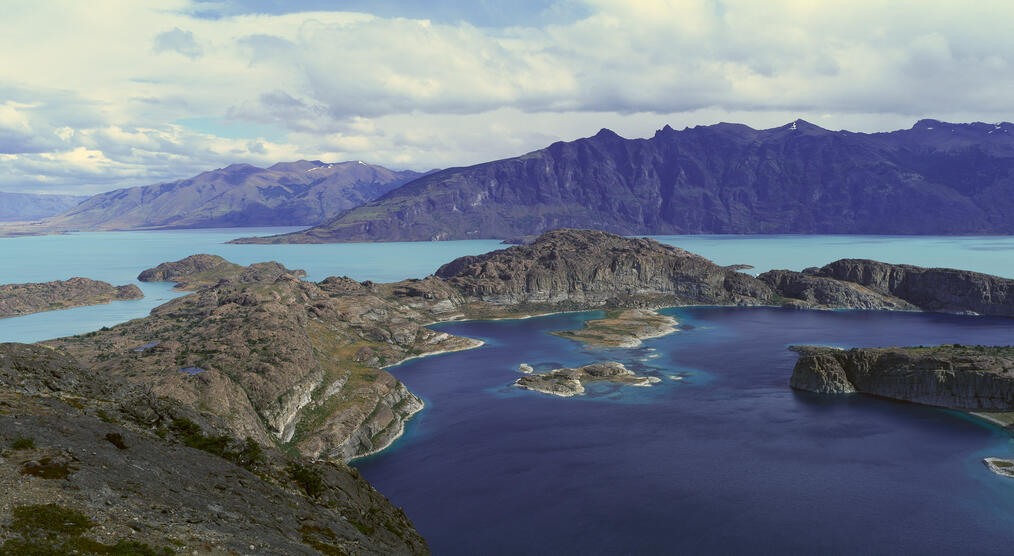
(93, 464)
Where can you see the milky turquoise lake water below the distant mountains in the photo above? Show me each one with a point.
(119, 257)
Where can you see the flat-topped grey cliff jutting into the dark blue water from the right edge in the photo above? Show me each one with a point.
(964, 378)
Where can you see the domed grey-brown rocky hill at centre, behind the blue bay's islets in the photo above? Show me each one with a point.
(587, 269)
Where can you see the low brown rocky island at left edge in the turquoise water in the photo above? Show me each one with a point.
(18, 300)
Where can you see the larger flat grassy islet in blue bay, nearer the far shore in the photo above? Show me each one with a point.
(622, 329)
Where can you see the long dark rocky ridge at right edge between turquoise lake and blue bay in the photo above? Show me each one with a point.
(857, 284)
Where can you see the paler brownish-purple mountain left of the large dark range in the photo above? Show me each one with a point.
(301, 193)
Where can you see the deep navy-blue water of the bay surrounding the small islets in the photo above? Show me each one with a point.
(728, 461)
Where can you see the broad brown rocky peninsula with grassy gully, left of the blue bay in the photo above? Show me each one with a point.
(279, 360)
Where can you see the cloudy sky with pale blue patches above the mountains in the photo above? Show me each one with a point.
(100, 96)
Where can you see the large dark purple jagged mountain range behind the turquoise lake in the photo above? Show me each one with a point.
(933, 179)
